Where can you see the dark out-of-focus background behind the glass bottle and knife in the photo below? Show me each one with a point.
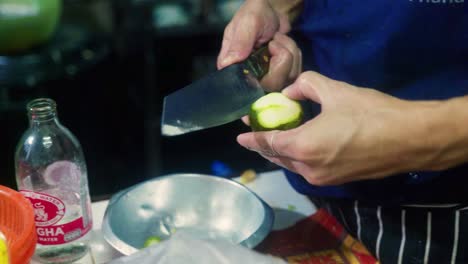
(108, 64)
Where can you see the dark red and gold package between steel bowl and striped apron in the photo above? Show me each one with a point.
(317, 239)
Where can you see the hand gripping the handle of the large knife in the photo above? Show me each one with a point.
(256, 23)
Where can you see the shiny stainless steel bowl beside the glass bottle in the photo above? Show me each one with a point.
(203, 206)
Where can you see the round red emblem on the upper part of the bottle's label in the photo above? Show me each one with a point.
(48, 210)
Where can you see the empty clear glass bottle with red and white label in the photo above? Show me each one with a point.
(51, 173)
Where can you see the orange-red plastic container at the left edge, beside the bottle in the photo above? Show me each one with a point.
(17, 224)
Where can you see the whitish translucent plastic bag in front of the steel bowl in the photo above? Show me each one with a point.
(183, 249)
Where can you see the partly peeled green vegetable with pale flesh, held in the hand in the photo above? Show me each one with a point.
(275, 111)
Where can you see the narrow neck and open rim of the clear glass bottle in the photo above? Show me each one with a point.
(42, 111)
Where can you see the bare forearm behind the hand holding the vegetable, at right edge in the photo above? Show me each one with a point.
(442, 137)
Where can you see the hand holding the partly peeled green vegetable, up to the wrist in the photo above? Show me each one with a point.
(359, 134)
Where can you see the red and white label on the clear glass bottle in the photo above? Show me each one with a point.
(49, 213)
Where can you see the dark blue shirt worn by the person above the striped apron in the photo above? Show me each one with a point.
(411, 49)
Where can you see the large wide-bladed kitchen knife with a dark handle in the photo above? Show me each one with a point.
(217, 99)
